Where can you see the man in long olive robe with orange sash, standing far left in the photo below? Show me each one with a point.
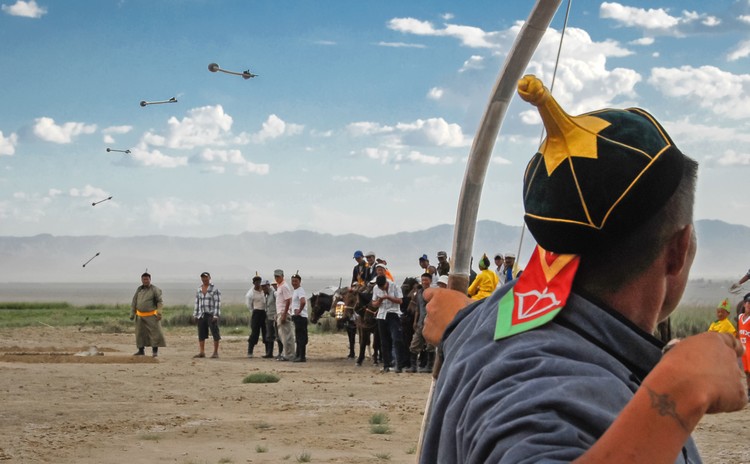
(145, 309)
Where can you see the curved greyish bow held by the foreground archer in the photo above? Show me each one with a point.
(479, 158)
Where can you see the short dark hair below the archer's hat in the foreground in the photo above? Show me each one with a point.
(601, 270)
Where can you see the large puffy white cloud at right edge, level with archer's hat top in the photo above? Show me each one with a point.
(711, 88)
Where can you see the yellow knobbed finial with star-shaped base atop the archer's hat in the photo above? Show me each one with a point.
(567, 135)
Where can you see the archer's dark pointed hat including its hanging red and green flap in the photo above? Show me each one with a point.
(596, 178)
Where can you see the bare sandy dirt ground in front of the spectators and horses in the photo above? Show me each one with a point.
(113, 408)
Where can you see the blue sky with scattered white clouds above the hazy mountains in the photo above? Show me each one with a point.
(361, 118)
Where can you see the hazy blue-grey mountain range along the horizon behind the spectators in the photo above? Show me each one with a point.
(723, 252)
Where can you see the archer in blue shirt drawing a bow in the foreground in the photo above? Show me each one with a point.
(561, 365)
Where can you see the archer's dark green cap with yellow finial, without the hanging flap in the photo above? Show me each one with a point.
(596, 176)
